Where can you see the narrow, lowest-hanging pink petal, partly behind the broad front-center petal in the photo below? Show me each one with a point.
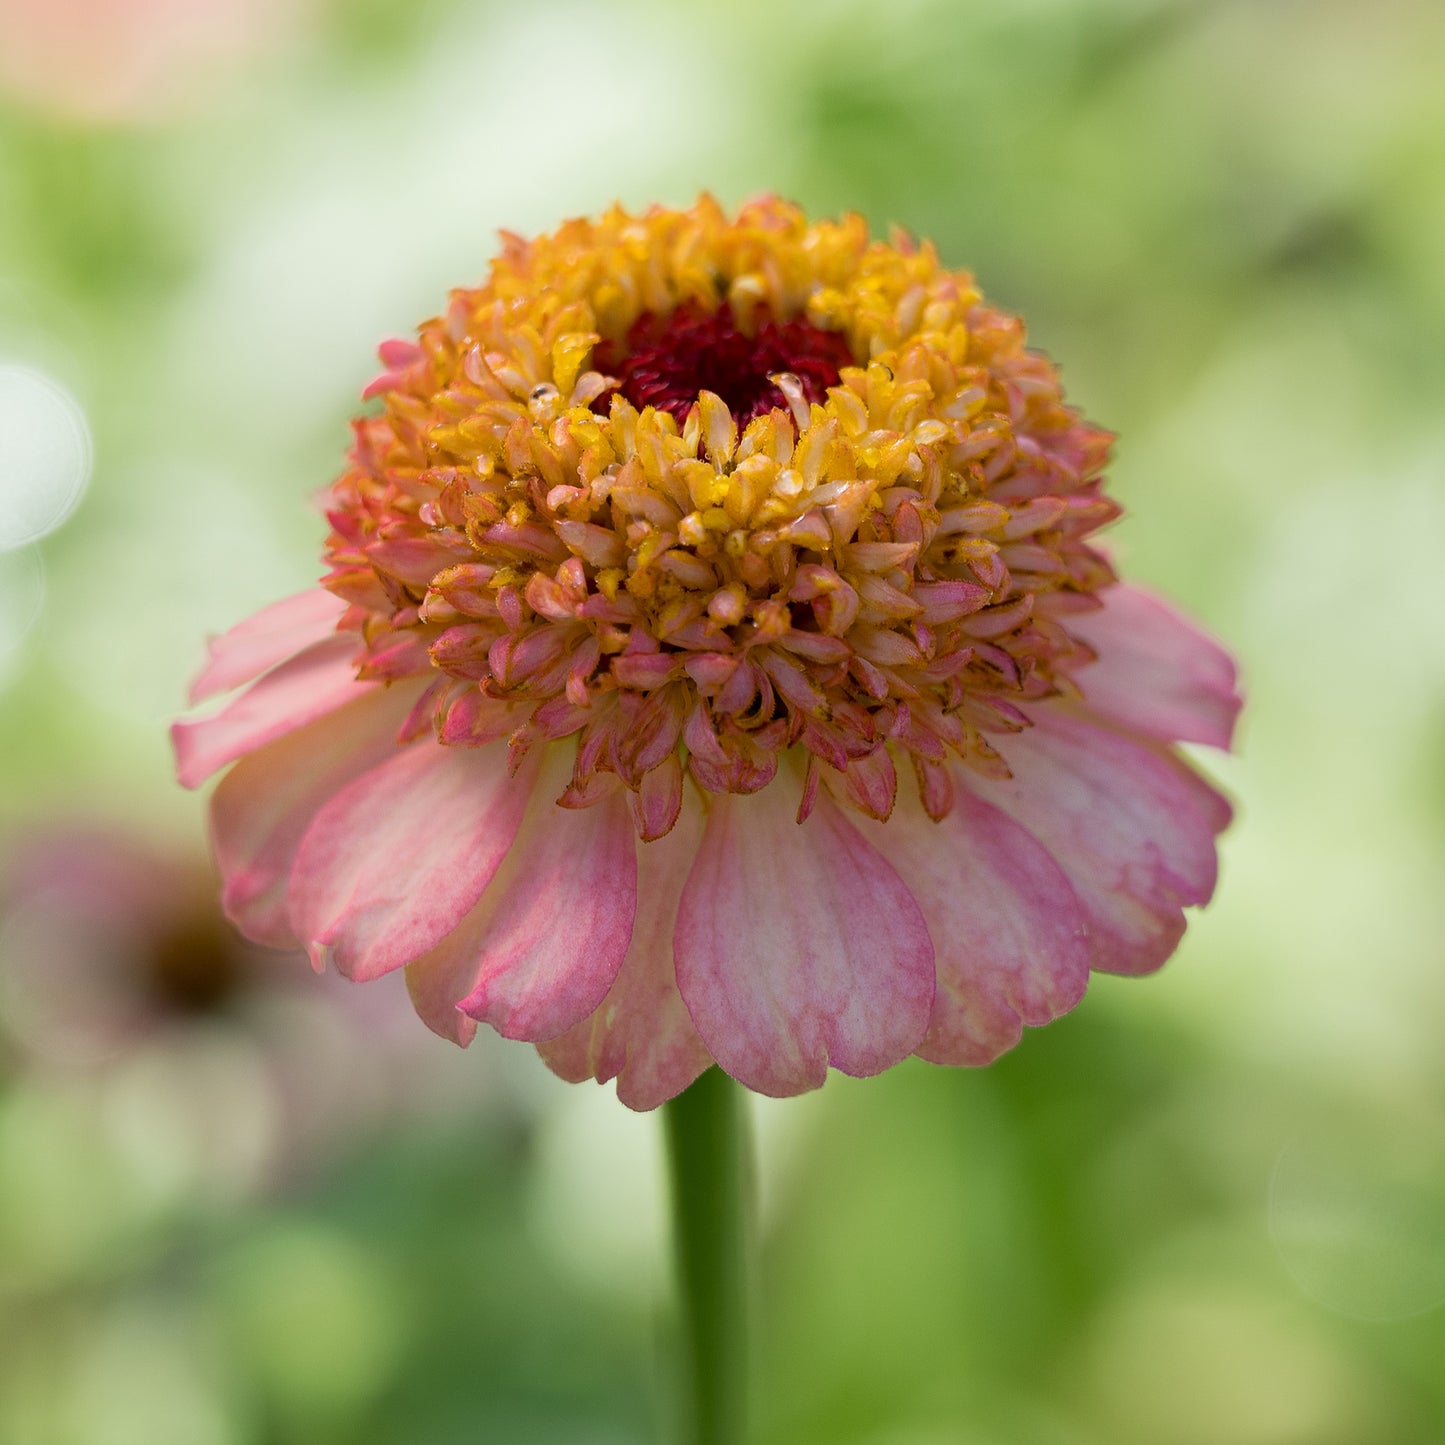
(642, 1035)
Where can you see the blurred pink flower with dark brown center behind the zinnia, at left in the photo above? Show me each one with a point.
(115, 957)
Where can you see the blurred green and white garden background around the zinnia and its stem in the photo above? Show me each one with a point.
(241, 1204)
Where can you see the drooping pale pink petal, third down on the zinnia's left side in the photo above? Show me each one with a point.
(265, 804)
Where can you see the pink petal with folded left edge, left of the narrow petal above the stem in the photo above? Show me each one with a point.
(545, 943)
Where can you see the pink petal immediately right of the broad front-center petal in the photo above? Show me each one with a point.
(1008, 931)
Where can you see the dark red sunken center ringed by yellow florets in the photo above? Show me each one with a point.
(668, 361)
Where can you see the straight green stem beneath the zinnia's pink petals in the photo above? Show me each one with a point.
(710, 1167)
